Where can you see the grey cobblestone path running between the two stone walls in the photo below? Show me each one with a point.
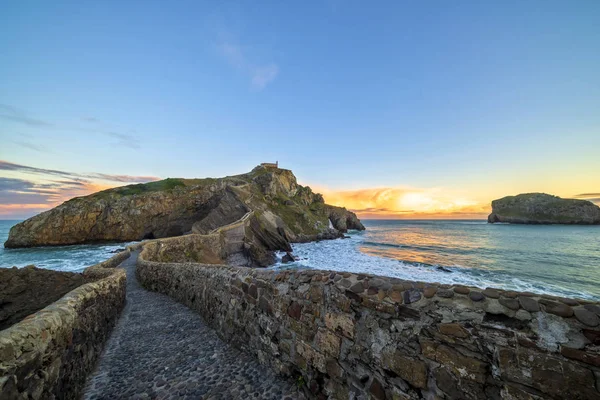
(161, 349)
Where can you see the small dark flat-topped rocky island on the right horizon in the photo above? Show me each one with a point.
(541, 208)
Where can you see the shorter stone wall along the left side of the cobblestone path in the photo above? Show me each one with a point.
(50, 353)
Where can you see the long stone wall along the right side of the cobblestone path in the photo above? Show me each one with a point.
(343, 335)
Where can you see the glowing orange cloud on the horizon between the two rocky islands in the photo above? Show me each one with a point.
(399, 202)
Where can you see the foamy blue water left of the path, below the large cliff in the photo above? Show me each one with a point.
(61, 258)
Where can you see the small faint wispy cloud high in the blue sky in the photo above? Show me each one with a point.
(261, 74)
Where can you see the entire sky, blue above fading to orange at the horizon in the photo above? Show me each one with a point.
(399, 109)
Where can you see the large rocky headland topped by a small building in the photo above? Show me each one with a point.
(282, 211)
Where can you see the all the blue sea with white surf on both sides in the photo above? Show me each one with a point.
(561, 260)
